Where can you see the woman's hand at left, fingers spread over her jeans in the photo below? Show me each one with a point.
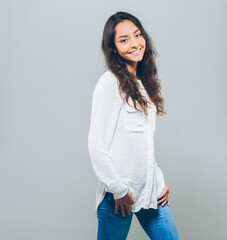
(124, 202)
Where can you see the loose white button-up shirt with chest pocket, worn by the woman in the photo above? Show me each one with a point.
(121, 146)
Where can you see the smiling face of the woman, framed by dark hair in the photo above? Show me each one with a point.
(129, 42)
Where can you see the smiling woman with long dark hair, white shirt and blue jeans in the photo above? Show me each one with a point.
(125, 103)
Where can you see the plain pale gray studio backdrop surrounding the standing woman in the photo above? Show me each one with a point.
(50, 62)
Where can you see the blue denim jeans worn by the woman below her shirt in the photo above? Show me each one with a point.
(157, 223)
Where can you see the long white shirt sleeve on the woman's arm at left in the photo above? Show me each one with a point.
(106, 105)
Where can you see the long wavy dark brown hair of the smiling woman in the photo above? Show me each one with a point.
(146, 68)
